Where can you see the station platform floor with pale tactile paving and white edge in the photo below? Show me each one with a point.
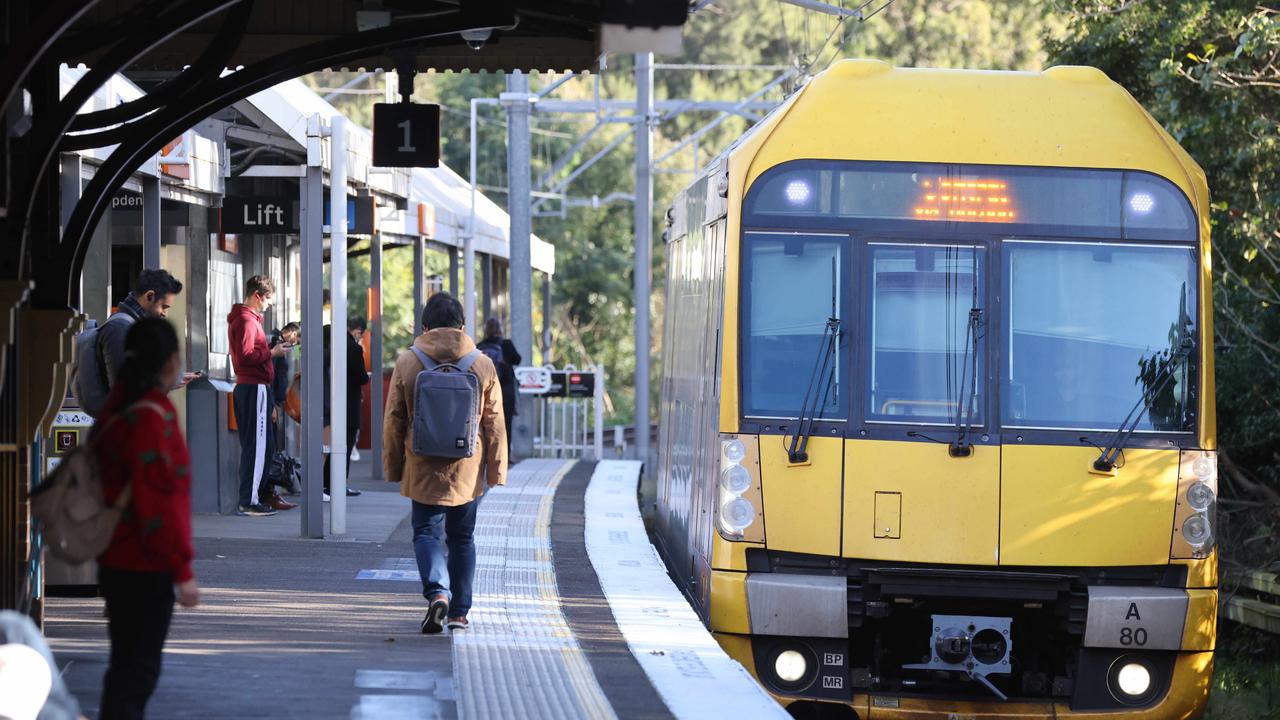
(574, 617)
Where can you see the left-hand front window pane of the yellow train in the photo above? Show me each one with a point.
(793, 284)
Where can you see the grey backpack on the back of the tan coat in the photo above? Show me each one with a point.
(446, 408)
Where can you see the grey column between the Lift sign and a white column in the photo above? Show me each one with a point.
(312, 212)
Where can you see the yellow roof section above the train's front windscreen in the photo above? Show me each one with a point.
(1068, 117)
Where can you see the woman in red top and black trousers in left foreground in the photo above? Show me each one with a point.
(141, 450)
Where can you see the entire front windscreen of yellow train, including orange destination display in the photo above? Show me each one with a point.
(1072, 295)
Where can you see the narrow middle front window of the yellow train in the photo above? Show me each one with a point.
(926, 354)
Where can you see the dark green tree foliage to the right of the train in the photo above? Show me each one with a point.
(1210, 74)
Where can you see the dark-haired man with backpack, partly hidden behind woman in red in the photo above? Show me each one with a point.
(100, 352)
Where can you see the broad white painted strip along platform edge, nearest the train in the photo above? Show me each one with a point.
(666, 636)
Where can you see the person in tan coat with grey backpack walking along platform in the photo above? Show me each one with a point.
(446, 445)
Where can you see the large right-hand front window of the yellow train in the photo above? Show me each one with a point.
(1095, 327)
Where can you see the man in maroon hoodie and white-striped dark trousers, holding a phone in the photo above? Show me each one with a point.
(252, 359)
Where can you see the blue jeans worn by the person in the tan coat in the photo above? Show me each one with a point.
(454, 527)
